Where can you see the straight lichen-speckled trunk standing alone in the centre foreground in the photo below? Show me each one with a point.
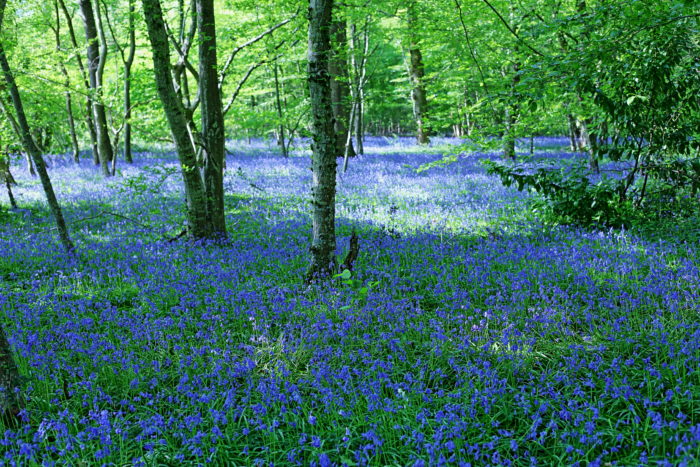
(324, 141)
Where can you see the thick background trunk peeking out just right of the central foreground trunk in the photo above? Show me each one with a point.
(340, 87)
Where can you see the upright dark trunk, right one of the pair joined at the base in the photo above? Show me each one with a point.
(213, 137)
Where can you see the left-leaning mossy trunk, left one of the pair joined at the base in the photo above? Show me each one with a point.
(197, 217)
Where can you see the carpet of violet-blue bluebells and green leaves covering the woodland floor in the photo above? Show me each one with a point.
(468, 334)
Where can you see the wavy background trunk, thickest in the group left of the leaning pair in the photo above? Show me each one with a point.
(97, 55)
